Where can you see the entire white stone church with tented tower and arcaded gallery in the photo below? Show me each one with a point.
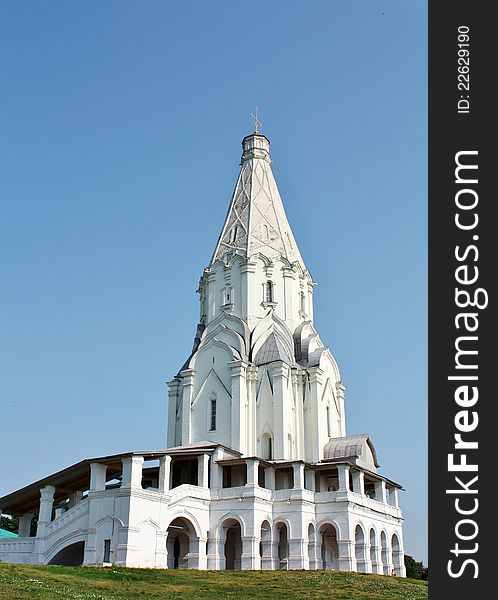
(258, 472)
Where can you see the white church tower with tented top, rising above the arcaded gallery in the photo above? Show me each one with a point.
(259, 380)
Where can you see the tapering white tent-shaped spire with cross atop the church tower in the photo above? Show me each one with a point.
(256, 221)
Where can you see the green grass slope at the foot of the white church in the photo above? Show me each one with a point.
(27, 582)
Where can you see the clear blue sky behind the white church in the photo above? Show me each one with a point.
(120, 131)
